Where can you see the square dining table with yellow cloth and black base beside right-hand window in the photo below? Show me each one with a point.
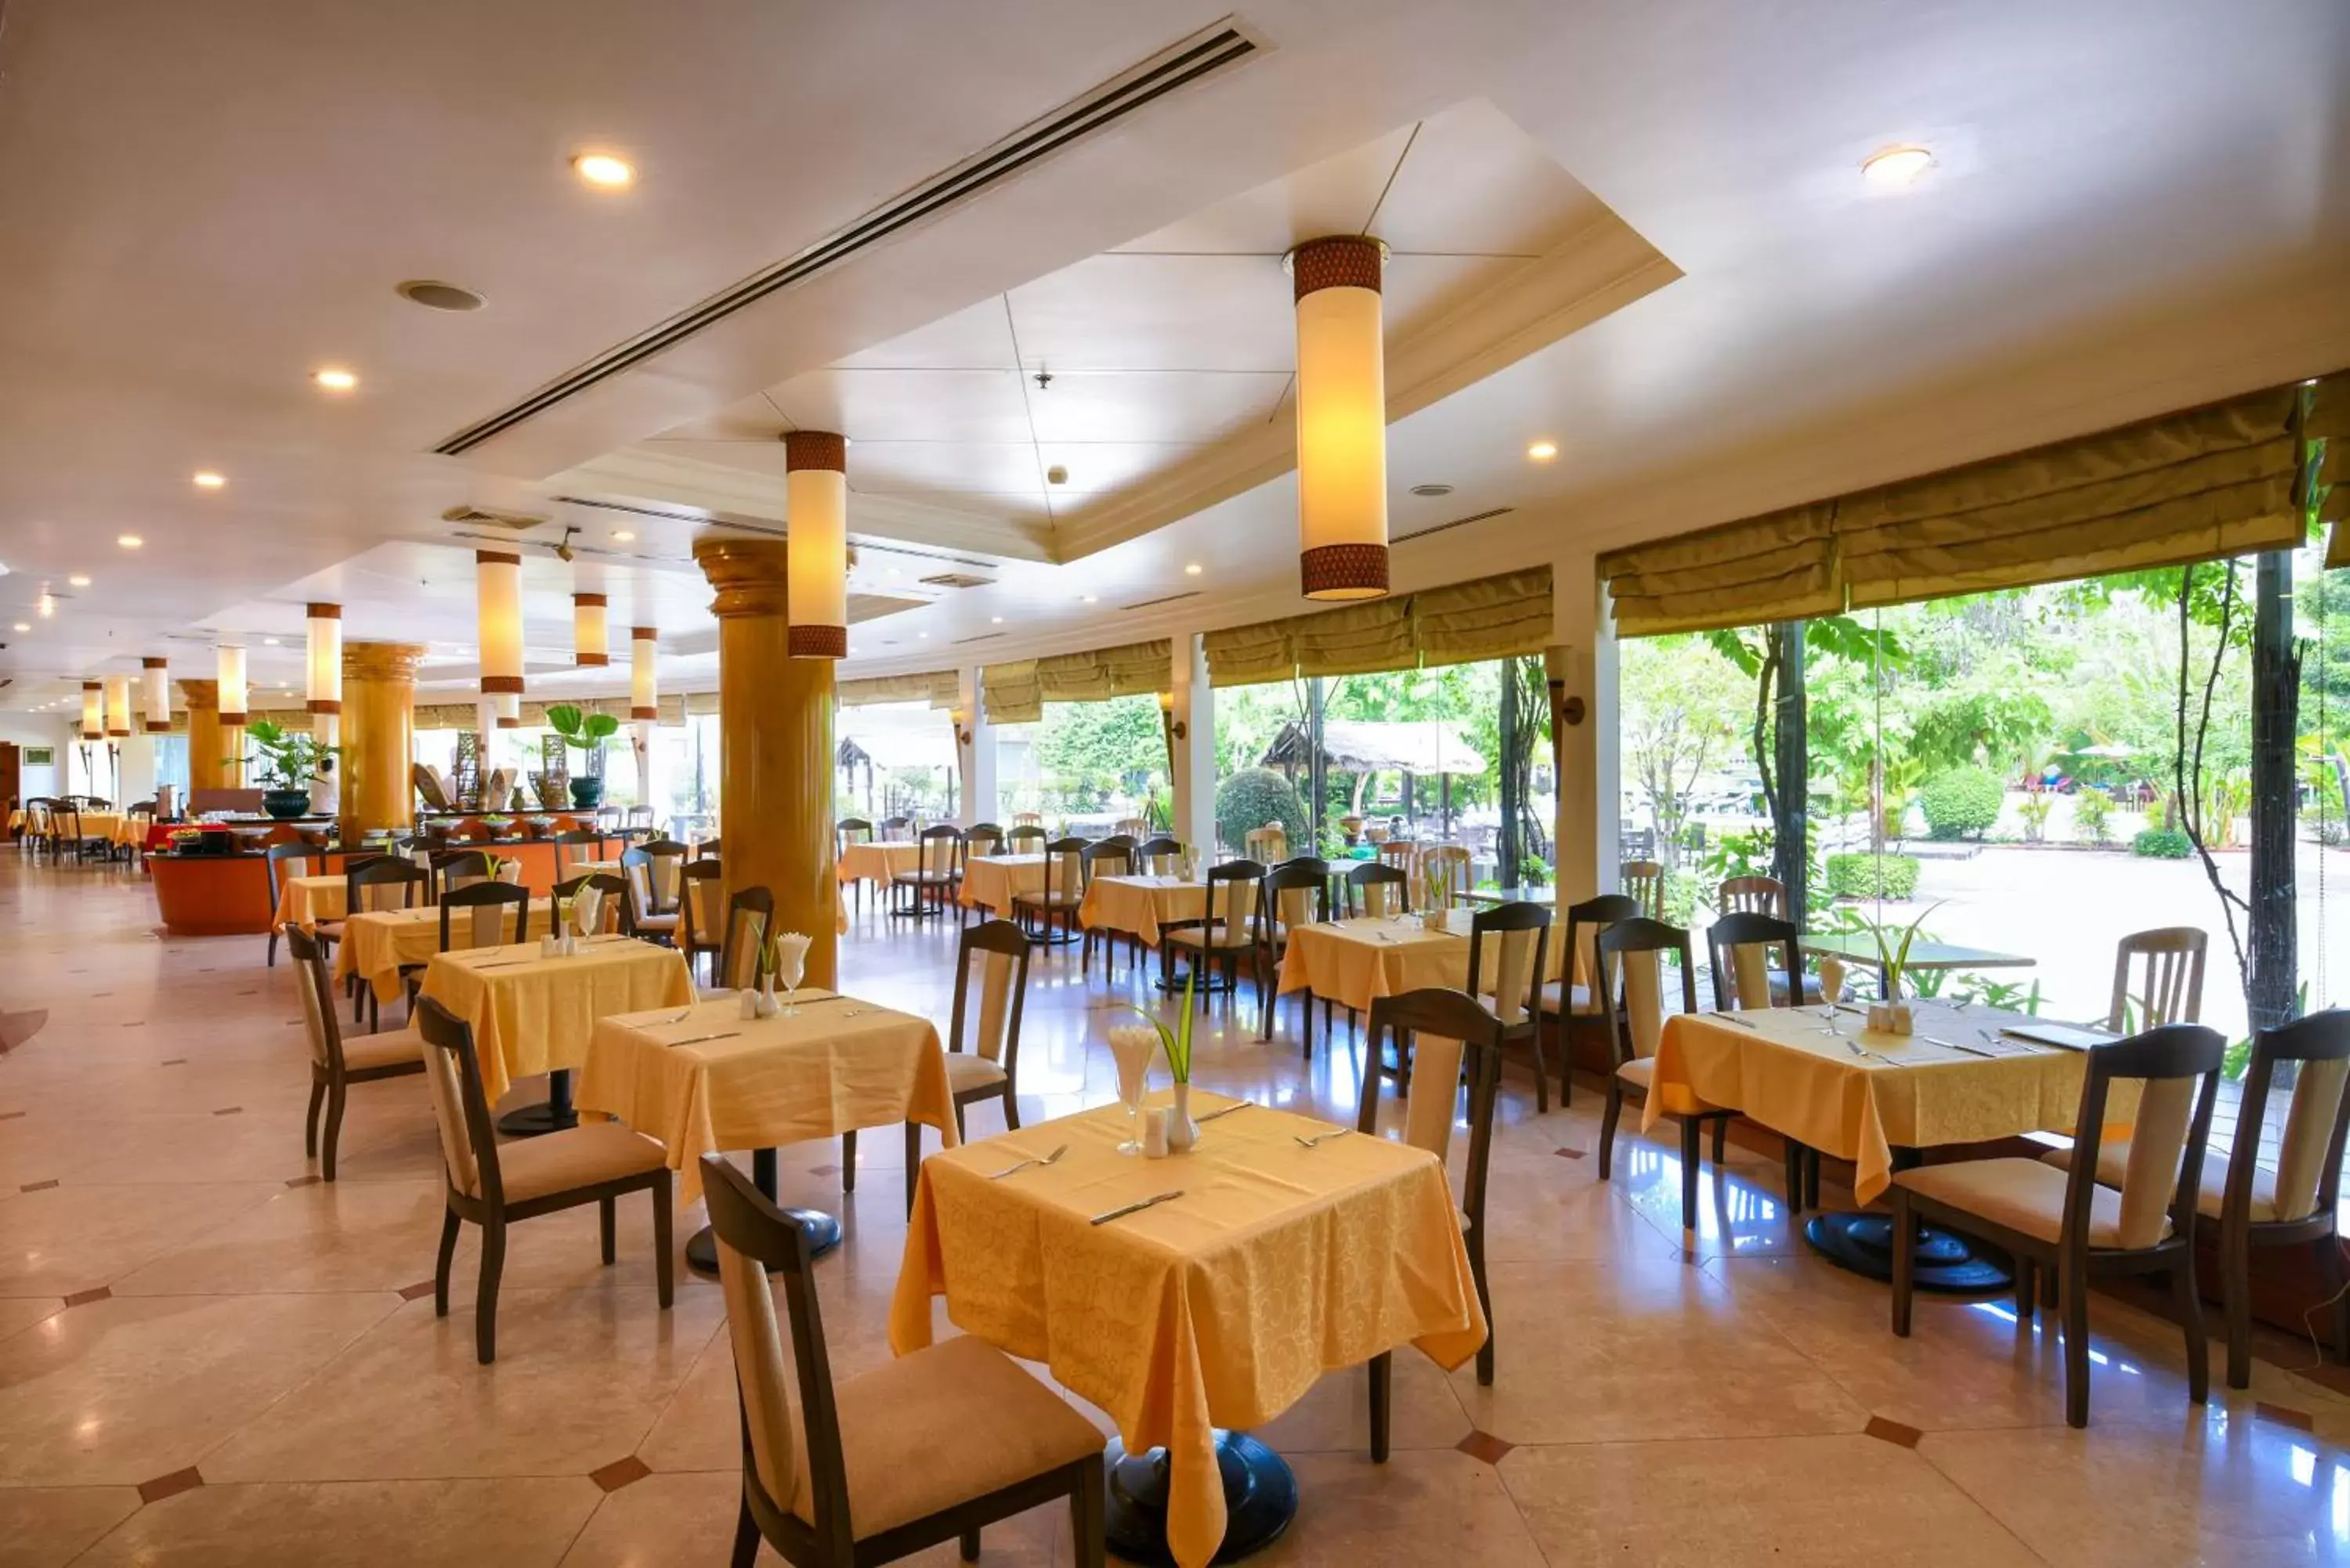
(1820, 1078)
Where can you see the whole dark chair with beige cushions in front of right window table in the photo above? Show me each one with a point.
(2069, 1224)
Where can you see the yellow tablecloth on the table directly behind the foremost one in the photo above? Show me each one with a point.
(835, 1068)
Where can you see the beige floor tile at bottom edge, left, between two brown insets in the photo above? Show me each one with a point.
(356, 1525)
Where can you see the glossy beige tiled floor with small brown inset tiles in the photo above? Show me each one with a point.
(208, 1358)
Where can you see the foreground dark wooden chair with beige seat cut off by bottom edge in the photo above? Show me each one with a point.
(918, 1452)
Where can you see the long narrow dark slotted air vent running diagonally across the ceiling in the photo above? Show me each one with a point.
(1202, 55)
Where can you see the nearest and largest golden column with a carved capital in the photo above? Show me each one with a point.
(774, 749)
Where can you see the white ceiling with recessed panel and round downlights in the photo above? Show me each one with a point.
(2135, 206)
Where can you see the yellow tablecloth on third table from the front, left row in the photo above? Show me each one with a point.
(535, 1014)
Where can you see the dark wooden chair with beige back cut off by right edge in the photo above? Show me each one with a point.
(2290, 1205)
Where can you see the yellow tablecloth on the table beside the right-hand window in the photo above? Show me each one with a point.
(1804, 1083)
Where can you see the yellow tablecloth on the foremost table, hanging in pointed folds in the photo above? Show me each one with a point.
(1214, 1311)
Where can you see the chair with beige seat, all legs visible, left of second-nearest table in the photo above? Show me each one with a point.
(497, 1186)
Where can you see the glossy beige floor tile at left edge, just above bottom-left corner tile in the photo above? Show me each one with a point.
(135, 1388)
